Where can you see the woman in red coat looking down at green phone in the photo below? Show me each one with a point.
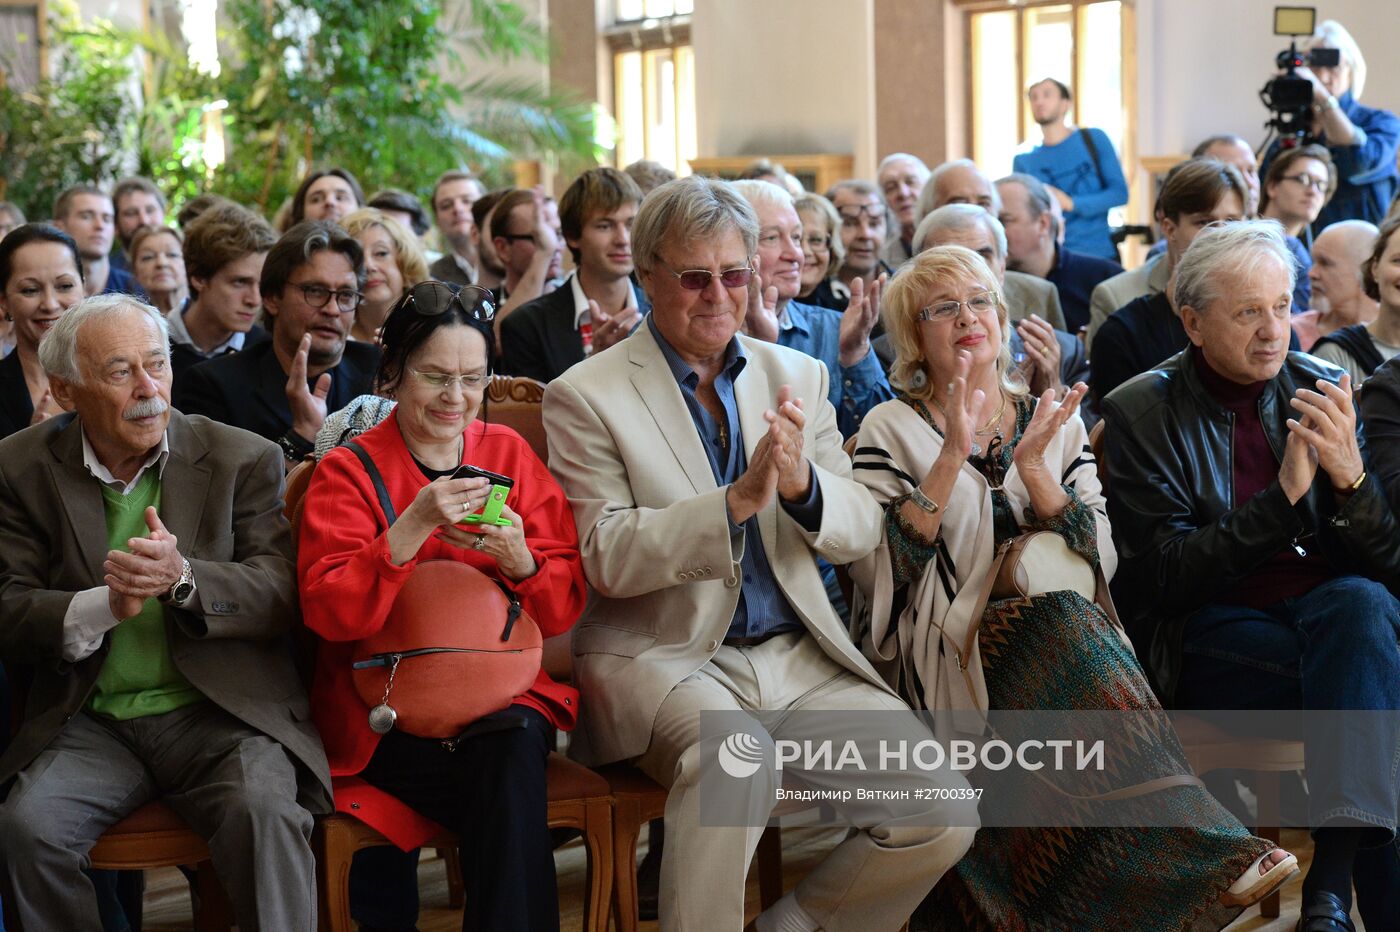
(491, 790)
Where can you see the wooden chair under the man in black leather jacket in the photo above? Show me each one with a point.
(1209, 748)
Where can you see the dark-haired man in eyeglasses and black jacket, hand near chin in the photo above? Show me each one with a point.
(283, 388)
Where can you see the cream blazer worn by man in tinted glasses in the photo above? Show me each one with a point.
(654, 531)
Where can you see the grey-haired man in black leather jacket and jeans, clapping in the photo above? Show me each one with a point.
(1255, 551)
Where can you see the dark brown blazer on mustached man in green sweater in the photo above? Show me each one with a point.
(222, 499)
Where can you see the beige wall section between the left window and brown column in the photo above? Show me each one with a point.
(786, 76)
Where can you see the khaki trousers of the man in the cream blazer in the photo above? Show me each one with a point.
(874, 880)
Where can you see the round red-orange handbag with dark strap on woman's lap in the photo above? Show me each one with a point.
(457, 647)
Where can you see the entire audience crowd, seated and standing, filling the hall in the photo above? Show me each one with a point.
(790, 435)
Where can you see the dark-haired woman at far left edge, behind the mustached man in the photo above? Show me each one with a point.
(41, 276)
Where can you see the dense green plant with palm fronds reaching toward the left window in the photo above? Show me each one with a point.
(374, 87)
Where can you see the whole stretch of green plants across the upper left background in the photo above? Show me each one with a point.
(377, 87)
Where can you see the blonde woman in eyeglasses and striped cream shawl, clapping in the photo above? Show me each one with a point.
(964, 461)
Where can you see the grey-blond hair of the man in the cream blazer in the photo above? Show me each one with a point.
(691, 209)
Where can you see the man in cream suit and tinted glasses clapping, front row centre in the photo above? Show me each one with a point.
(706, 475)
